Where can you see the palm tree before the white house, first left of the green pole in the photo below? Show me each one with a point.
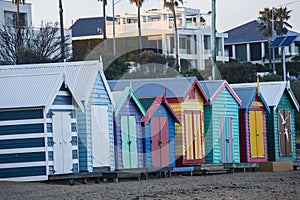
(171, 4)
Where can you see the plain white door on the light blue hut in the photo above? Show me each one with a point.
(100, 136)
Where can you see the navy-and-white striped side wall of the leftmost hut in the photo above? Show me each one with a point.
(21, 144)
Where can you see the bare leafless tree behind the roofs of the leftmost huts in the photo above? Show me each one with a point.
(39, 45)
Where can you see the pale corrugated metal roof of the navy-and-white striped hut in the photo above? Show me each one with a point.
(29, 90)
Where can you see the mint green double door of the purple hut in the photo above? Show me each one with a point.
(129, 142)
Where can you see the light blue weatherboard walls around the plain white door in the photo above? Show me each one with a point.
(99, 96)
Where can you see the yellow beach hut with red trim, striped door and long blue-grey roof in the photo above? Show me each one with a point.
(186, 98)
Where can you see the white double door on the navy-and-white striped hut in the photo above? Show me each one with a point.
(62, 146)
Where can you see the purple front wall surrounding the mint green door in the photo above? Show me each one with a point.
(129, 108)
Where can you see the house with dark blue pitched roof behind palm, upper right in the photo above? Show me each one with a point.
(246, 43)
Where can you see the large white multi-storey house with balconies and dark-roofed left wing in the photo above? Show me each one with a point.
(194, 35)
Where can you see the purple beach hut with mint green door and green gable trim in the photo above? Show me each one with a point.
(128, 113)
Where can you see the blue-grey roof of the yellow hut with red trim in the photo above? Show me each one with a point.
(175, 87)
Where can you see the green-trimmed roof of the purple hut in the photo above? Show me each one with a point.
(121, 96)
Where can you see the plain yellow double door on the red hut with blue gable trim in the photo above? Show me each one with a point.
(257, 147)
